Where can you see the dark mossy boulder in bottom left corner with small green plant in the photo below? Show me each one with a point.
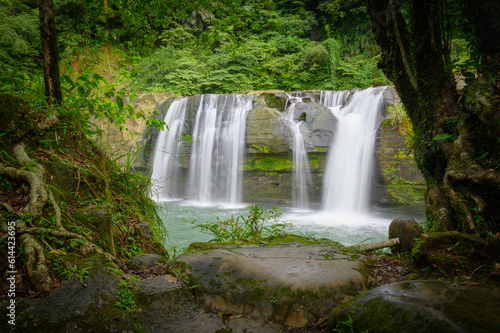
(106, 303)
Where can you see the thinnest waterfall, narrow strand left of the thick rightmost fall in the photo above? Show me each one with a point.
(301, 169)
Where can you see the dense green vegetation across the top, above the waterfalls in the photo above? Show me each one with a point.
(215, 47)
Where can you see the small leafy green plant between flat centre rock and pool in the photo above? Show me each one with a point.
(260, 223)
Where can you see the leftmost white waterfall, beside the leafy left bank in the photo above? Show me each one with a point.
(166, 168)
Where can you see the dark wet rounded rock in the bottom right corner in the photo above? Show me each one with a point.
(423, 306)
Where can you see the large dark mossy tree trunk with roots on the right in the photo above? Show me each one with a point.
(453, 135)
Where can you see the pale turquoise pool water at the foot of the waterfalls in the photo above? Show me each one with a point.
(348, 229)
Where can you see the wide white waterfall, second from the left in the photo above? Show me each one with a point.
(218, 147)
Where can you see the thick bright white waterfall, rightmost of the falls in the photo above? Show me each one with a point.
(348, 175)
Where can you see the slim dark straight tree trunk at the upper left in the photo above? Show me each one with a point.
(50, 52)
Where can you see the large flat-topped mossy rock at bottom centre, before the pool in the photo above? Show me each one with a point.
(288, 283)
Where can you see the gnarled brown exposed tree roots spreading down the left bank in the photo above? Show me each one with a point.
(37, 269)
